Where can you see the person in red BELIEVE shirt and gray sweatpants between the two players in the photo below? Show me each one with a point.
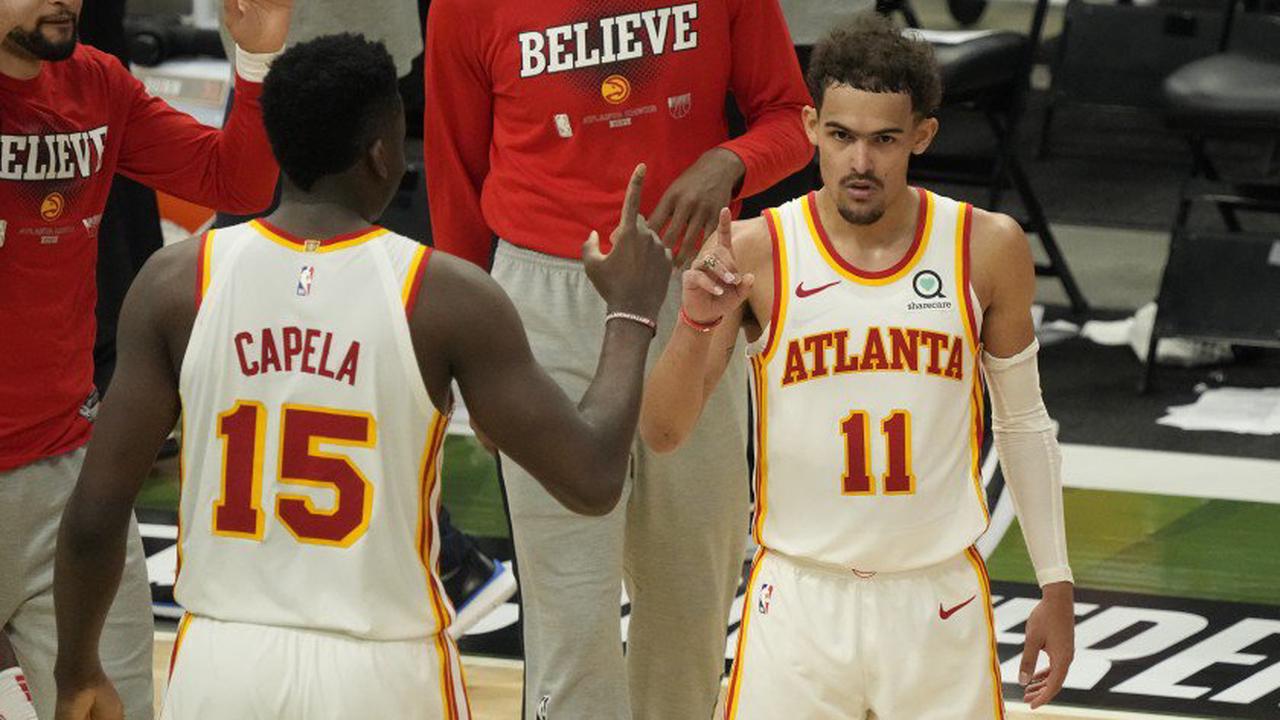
(536, 115)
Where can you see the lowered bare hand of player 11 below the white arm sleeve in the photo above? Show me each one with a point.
(1052, 627)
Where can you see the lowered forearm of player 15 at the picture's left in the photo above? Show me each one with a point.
(90, 560)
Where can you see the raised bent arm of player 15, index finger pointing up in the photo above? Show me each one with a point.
(579, 454)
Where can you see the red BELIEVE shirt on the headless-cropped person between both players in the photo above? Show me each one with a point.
(537, 112)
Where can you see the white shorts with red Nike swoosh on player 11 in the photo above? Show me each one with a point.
(825, 644)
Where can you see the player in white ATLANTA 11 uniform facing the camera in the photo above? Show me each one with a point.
(877, 311)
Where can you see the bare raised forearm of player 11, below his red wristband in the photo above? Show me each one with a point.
(674, 397)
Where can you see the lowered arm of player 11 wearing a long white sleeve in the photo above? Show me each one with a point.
(1027, 445)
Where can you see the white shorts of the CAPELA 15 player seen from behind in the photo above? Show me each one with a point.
(223, 671)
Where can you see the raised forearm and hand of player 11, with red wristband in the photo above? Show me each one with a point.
(692, 364)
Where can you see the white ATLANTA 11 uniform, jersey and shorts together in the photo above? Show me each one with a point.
(868, 395)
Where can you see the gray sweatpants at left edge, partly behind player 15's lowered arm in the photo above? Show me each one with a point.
(31, 509)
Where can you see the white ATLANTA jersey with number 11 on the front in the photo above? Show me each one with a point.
(868, 398)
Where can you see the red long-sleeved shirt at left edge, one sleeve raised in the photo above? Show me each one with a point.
(63, 135)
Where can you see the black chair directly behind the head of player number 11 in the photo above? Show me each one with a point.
(991, 75)
